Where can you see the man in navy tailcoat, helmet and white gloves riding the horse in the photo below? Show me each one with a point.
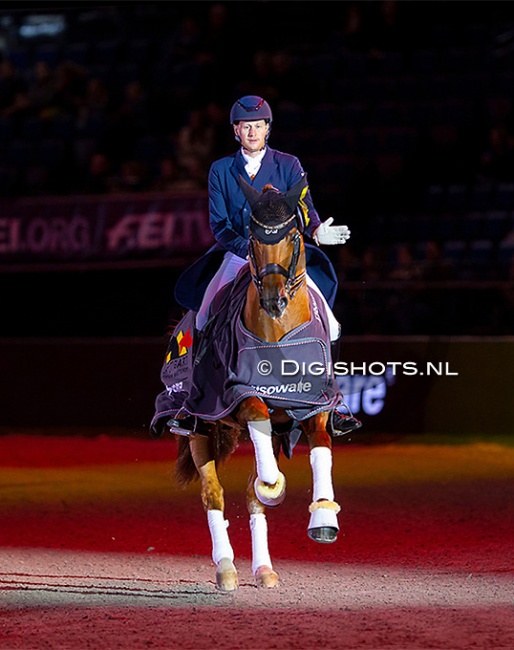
(229, 212)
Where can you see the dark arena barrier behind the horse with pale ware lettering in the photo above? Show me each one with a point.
(394, 384)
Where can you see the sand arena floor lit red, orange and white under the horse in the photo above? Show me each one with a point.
(98, 549)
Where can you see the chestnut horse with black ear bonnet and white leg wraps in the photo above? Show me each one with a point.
(278, 301)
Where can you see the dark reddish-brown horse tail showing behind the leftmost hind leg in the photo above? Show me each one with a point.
(223, 441)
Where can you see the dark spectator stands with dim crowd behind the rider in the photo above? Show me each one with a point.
(401, 113)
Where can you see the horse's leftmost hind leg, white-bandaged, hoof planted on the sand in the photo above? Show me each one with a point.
(214, 504)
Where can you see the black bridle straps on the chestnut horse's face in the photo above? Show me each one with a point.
(293, 280)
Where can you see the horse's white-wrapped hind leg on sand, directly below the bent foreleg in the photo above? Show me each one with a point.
(261, 560)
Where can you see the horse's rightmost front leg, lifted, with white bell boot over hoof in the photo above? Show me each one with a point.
(323, 526)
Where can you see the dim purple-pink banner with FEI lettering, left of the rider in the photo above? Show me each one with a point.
(90, 229)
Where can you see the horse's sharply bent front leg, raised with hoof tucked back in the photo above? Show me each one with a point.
(270, 483)
